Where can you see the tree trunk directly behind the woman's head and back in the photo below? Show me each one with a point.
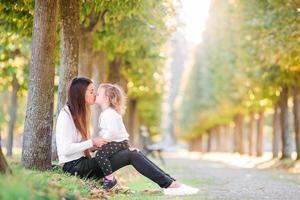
(69, 52)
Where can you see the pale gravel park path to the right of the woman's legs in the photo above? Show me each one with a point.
(220, 180)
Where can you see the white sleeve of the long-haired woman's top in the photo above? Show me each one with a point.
(66, 136)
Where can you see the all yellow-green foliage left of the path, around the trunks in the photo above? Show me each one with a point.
(134, 30)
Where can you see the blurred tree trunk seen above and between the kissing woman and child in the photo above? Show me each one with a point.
(99, 71)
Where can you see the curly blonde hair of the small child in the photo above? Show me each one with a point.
(116, 96)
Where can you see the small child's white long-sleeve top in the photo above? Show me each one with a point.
(111, 126)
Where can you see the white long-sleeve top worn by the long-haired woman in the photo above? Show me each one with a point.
(68, 138)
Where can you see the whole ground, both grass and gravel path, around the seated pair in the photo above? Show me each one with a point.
(218, 176)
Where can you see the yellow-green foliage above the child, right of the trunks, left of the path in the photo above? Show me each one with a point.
(137, 32)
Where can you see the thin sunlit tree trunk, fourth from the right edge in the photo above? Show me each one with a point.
(260, 133)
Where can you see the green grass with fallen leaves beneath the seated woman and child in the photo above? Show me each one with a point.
(32, 184)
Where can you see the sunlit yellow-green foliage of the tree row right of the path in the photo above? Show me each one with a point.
(251, 50)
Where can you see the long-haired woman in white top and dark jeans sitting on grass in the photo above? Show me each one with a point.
(74, 144)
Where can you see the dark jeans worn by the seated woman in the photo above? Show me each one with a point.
(88, 167)
